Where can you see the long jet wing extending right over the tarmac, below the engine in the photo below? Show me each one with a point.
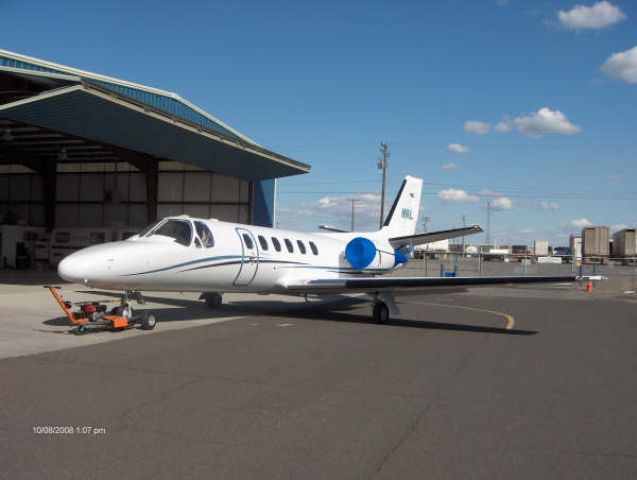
(405, 284)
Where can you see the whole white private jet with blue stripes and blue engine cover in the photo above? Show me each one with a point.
(205, 255)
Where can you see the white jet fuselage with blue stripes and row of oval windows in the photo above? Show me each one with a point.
(219, 256)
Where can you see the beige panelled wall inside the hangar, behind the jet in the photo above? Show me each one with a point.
(92, 195)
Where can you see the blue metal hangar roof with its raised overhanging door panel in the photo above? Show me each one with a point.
(134, 117)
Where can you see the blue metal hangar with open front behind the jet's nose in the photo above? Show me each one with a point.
(82, 152)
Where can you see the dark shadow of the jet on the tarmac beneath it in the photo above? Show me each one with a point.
(344, 310)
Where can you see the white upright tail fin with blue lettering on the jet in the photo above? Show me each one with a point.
(403, 215)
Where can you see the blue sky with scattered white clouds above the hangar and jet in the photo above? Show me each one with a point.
(326, 82)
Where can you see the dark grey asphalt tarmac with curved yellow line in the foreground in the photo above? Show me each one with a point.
(461, 386)
